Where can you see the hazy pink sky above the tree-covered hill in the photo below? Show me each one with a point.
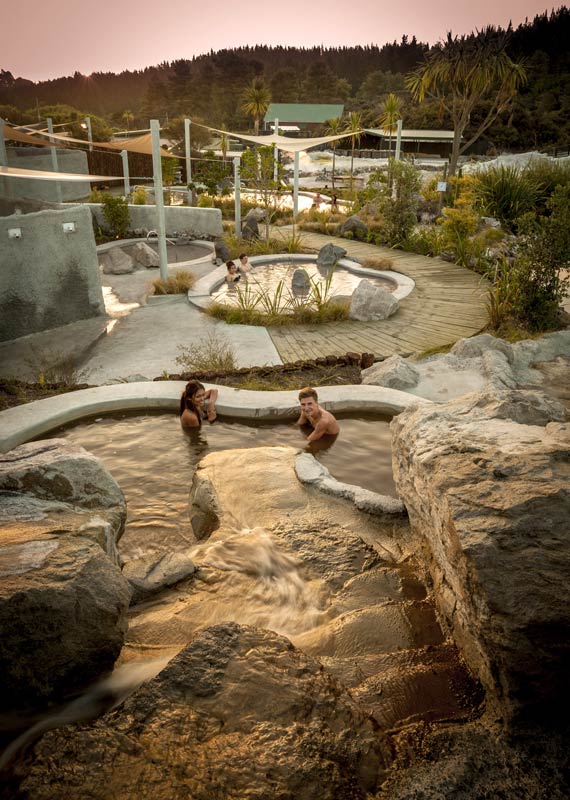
(48, 40)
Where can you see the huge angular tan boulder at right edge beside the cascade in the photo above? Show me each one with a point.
(485, 482)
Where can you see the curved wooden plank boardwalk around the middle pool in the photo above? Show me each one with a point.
(448, 303)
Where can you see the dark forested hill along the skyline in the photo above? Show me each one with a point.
(209, 86)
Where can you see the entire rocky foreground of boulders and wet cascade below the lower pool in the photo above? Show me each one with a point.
(313, 646)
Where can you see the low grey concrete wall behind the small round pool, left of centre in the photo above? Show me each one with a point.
(200, 223)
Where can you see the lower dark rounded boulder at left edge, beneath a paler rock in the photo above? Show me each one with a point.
(63, 607)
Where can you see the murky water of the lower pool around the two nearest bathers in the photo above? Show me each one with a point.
(153, 461)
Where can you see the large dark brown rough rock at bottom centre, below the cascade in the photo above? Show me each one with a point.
(239, 712)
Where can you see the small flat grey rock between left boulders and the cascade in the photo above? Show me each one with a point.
(155, 572)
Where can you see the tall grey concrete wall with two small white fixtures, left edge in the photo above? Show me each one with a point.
(48, 277)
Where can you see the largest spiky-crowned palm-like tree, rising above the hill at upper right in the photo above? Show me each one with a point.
(464, 71)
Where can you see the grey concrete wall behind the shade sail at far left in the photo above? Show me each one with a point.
(40, 158)
